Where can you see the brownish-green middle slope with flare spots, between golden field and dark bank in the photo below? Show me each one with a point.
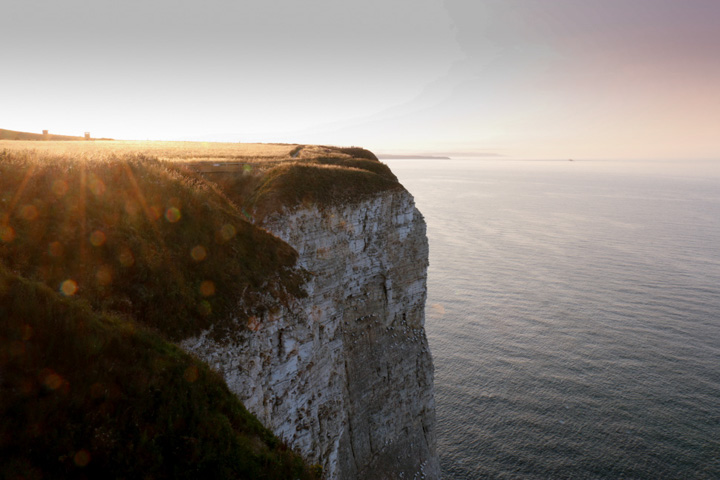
(134, 235)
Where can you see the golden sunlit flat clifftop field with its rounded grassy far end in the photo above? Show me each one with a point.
(257, 179)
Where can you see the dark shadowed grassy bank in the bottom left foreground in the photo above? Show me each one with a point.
(91, 395)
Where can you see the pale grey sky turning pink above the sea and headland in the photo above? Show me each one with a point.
(511, 78)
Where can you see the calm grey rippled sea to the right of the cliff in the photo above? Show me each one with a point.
(574, 316)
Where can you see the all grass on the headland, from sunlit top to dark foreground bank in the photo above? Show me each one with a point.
(99, 248)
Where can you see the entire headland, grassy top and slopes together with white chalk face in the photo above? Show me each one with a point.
(296, 273)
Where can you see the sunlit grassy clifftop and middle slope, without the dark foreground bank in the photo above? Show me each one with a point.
(110, 216)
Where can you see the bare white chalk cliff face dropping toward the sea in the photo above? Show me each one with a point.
(345, 375)
